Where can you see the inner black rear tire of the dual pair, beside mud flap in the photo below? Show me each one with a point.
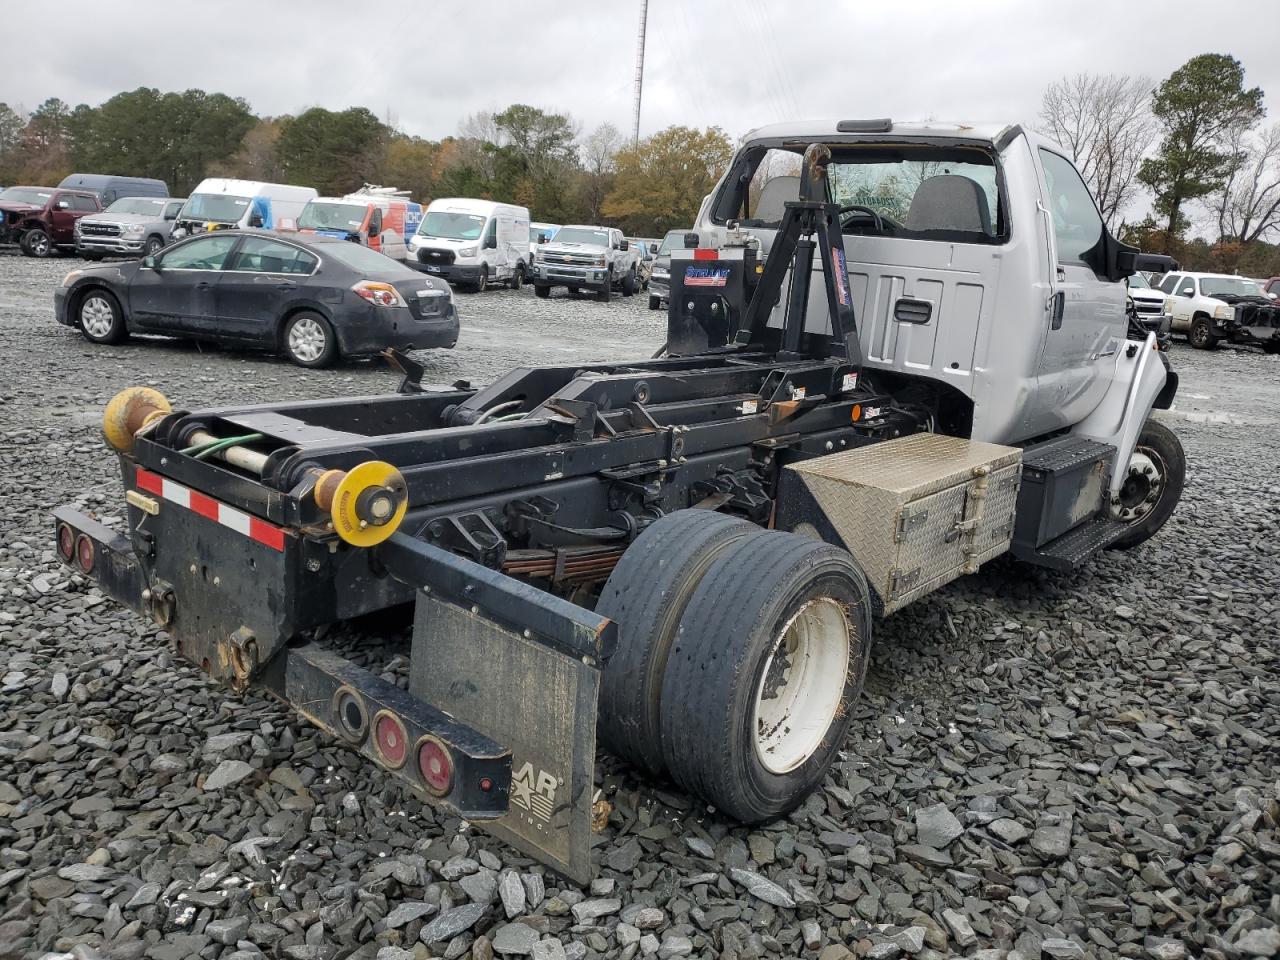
(647, 596)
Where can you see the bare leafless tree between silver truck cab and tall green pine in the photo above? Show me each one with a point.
(1107, 124)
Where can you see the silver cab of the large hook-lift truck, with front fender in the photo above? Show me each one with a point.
(977, 258)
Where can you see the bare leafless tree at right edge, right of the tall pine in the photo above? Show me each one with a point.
(1249, 204)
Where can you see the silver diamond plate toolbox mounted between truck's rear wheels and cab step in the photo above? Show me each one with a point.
(916, 513)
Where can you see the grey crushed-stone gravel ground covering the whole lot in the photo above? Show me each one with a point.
(1041, 766)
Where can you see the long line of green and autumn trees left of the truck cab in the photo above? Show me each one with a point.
(522, 156)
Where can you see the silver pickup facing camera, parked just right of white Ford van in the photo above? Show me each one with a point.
(588, 258)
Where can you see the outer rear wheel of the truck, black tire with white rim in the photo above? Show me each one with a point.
(769, 660)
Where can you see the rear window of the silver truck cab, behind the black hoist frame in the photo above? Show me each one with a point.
(894, 190)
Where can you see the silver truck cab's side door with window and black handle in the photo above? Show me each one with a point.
(1085, 314)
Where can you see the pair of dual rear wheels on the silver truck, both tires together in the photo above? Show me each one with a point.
(740, 653)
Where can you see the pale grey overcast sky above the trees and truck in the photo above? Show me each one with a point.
(732, 63)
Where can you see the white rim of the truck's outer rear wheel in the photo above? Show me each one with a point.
(802, 688)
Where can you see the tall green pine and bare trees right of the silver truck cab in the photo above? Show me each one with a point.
(1195, 147)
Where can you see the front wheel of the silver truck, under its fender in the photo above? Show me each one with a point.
(1153, 486)
